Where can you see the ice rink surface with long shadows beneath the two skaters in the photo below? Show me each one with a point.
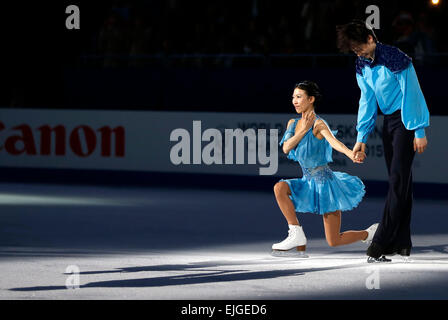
(168, 243)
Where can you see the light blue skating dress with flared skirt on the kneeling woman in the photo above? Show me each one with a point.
(320, 190)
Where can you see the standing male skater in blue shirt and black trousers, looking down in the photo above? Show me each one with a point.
(386, 77)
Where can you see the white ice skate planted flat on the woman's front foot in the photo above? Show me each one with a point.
(294, 245)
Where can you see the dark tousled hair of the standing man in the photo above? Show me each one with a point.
(353, 33)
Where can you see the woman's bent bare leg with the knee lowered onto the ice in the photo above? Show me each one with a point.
(332, 225)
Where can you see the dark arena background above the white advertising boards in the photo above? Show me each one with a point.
(239, 56)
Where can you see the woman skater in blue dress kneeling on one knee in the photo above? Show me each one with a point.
(309, 141)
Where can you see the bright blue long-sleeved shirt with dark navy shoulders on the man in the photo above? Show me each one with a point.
(391, 82)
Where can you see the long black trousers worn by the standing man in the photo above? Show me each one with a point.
(394, 231)
